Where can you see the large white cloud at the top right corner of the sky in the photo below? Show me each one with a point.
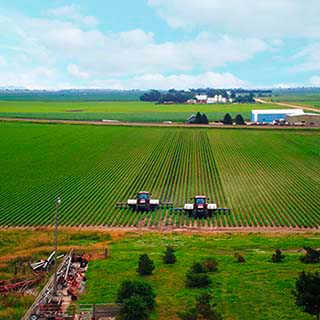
(267, 18)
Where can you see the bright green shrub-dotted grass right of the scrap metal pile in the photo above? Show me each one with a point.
(257, 289)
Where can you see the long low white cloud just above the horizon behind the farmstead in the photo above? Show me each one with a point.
(177, 81)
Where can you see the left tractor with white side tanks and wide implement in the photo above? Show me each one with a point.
(144, 202)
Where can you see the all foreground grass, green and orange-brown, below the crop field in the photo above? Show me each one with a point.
(257, 289)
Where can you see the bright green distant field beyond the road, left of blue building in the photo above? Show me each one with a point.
(122, 111)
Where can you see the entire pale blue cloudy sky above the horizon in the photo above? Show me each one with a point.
(162, 44)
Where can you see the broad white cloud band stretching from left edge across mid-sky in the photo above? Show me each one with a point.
(96, 53)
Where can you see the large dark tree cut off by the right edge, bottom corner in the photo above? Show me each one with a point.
(307, 292)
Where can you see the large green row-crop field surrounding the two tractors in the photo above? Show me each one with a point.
(268, 178)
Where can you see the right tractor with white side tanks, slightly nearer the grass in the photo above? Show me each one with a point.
(201, 208)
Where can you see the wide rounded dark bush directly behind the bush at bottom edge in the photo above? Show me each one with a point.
(130, 288)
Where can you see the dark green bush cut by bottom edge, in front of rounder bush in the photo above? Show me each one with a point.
(134, 308)
